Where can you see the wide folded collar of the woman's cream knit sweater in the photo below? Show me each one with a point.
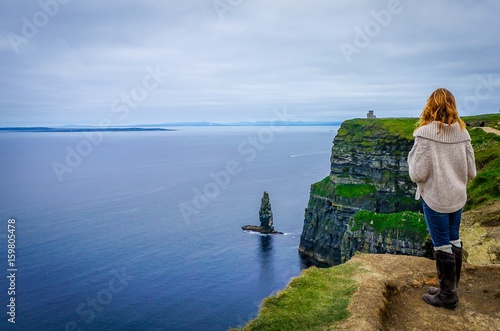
(443, 133)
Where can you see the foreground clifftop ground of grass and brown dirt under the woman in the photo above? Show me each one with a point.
(381, 292)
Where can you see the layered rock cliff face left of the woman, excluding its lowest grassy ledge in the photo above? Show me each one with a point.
(369, 171)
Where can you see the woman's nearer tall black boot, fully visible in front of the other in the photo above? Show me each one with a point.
(447, 295)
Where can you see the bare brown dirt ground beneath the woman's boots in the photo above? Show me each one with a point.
(390, 296)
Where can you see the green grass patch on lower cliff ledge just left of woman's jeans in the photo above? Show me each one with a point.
(411, 222)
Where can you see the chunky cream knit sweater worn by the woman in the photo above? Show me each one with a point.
(441, 162)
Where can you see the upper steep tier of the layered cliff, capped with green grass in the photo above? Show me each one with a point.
(373, 152)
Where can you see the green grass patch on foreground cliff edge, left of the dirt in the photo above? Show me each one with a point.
(317, 299)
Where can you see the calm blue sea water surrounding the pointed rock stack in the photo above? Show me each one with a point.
(145, 232)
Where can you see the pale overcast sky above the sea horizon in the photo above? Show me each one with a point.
(94, 62)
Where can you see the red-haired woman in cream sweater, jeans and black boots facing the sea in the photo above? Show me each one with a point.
(441, 163)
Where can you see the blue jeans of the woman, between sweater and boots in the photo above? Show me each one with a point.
(443, 228)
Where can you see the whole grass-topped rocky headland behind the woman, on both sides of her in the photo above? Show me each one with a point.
(369, 172)
